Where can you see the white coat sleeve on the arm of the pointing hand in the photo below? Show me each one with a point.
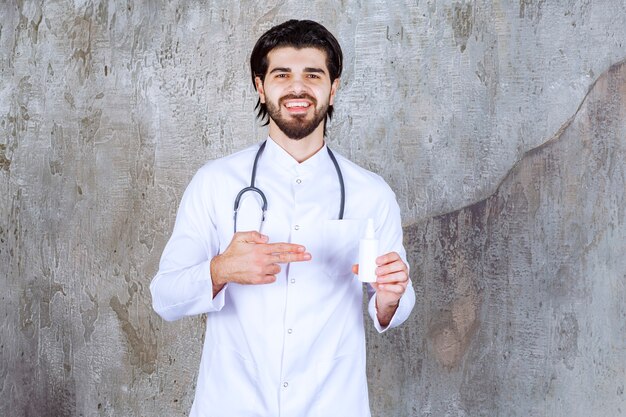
(182, 286)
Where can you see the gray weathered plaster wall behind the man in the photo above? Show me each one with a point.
(499, 124)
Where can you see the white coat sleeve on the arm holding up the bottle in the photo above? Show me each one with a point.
(390, 239)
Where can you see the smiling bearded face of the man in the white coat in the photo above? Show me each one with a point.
(297, 90)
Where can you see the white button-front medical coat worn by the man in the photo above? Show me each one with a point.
(296, 347)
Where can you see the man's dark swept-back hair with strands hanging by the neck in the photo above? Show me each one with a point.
(297, 34)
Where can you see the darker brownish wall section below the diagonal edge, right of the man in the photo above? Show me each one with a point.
(520, 297)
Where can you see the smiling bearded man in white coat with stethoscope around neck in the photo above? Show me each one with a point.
(284, 332)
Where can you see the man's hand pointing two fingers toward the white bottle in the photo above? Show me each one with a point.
(249, 259)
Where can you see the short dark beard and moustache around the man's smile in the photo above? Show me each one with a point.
(297, 127)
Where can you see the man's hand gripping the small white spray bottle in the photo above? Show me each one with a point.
(392, 278)
